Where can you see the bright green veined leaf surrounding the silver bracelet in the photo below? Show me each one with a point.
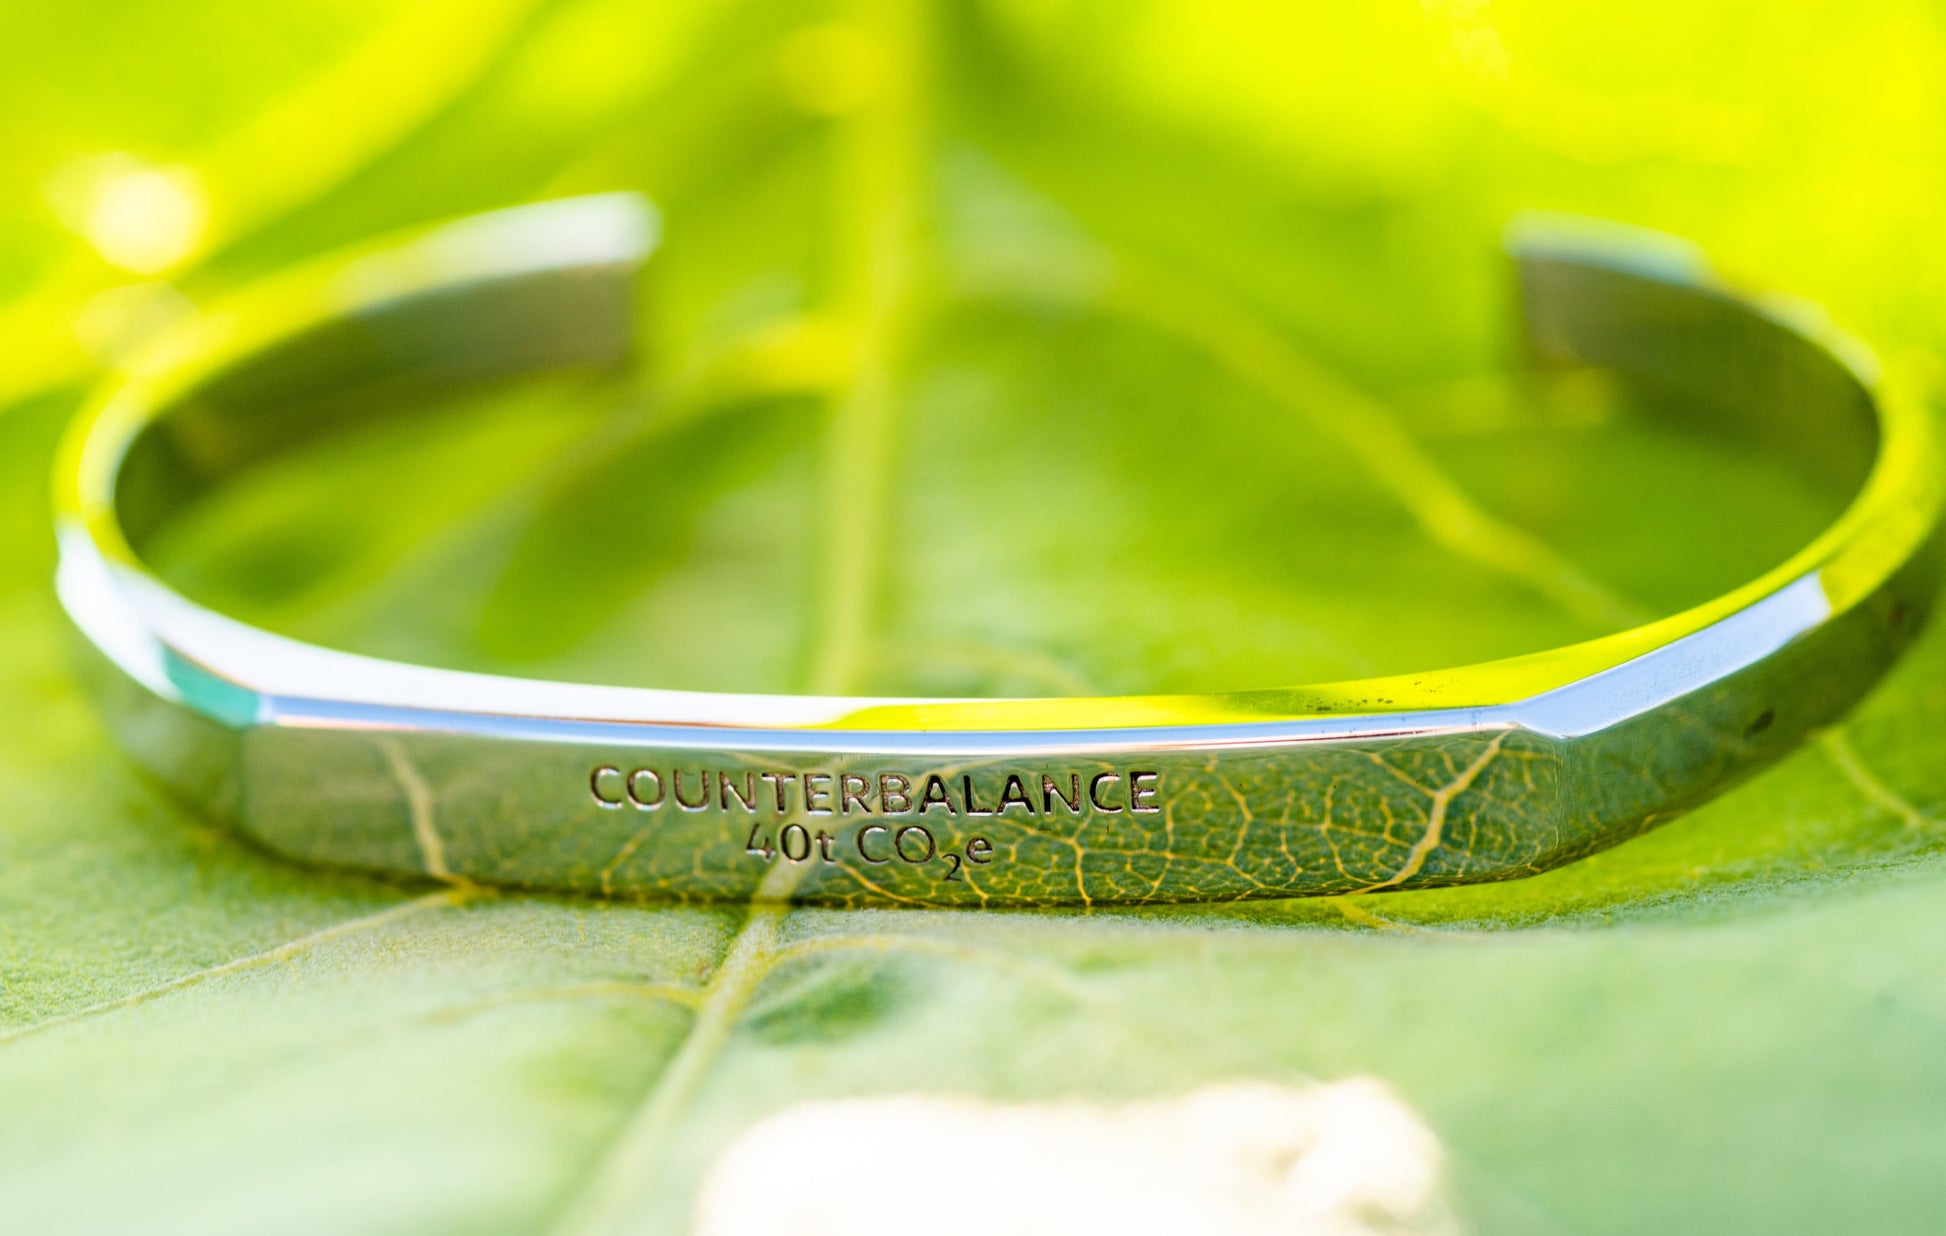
(997, 347)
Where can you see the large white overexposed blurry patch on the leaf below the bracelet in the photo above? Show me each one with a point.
(1348, 1159)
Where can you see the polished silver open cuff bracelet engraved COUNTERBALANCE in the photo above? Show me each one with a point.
(1457, 776)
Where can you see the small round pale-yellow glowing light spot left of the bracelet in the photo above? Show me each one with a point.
(139, 217)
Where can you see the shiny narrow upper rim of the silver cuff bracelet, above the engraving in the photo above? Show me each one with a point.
(244, 676)
